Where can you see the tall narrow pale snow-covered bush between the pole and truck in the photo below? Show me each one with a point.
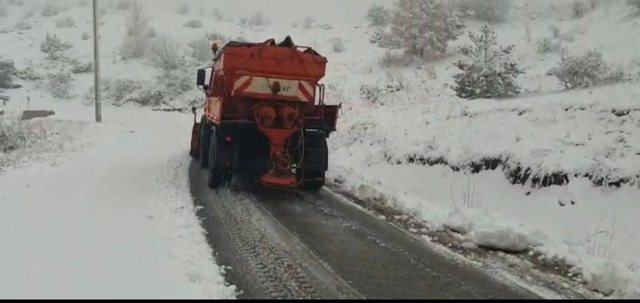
(136, 42)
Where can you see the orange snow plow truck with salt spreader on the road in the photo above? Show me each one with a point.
(264, 114)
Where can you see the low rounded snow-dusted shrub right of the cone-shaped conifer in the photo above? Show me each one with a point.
(581, 71)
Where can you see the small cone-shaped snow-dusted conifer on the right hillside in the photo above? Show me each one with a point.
(490, 72)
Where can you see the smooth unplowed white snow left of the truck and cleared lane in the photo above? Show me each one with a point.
(113, 220)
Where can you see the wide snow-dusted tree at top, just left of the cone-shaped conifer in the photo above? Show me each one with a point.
(422, 27)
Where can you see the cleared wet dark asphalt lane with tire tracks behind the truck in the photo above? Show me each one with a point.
(297, 245)
